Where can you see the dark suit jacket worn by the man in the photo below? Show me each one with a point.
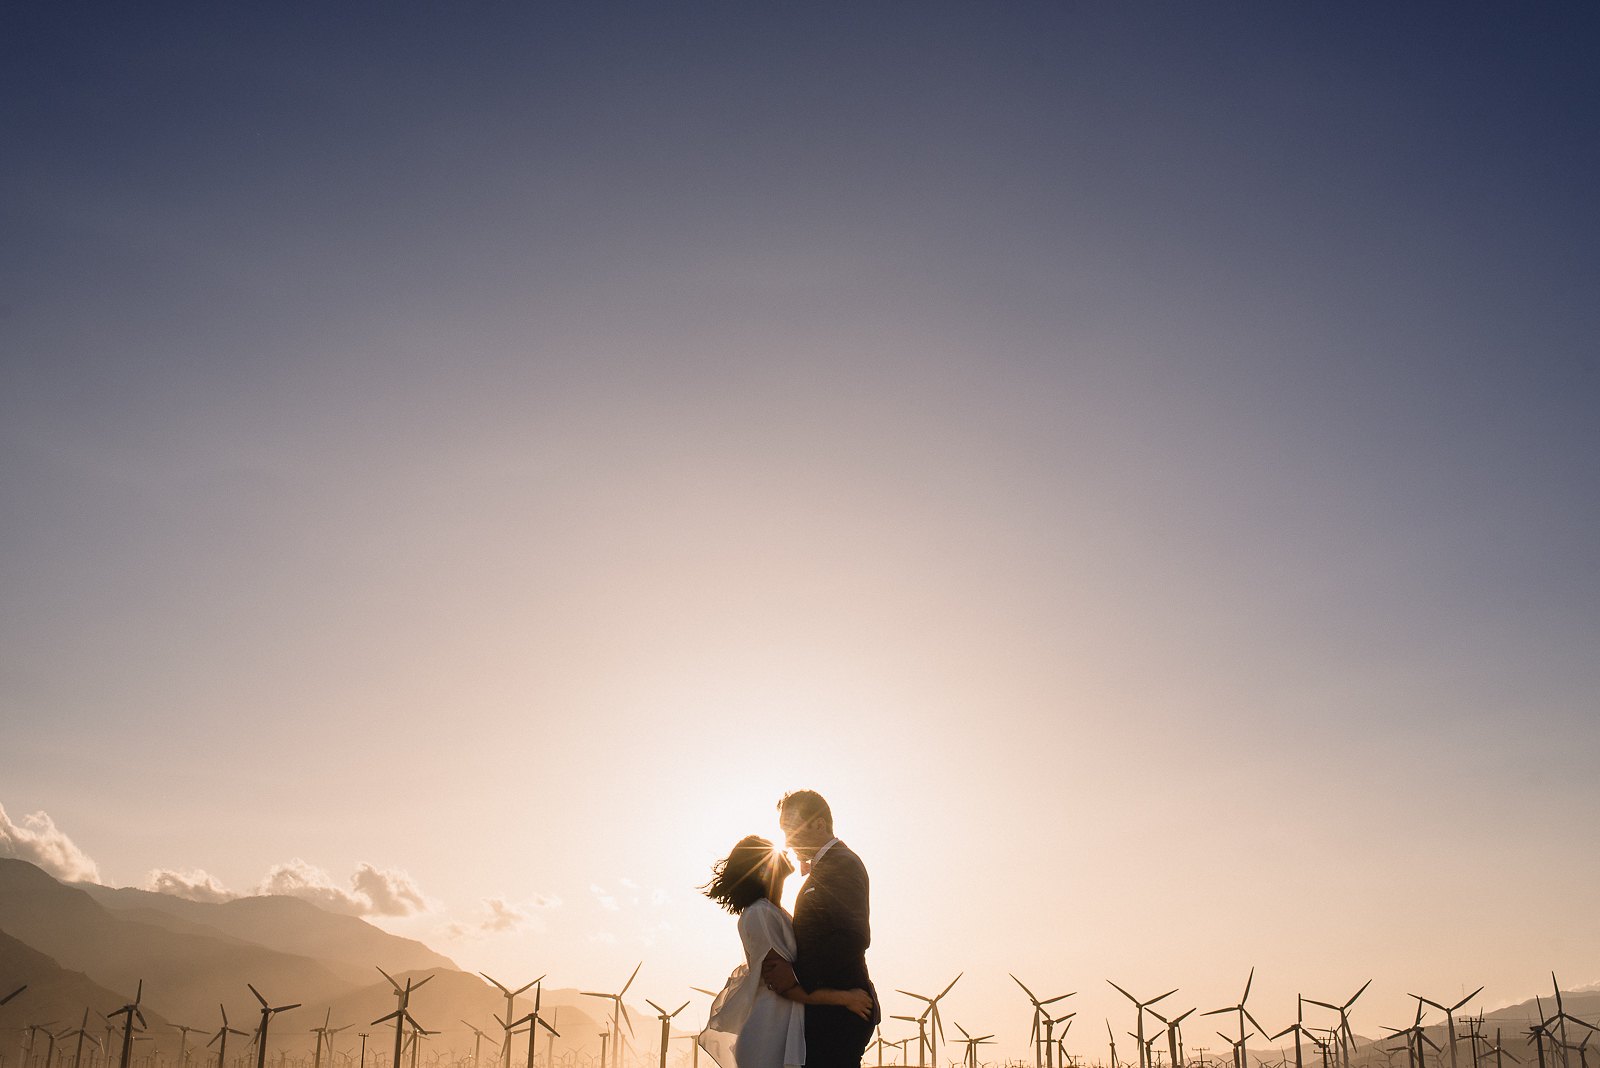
(833, 930)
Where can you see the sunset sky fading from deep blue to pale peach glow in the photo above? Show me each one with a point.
(465, 463)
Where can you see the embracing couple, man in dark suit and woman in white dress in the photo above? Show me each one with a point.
(802, 998)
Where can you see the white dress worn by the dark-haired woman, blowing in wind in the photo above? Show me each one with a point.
(750, 1026)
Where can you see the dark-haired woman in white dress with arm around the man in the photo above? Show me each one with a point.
(753, 1027)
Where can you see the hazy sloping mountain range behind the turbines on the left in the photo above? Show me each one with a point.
(92, 947)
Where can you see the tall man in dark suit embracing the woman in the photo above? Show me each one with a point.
(831, 933)
